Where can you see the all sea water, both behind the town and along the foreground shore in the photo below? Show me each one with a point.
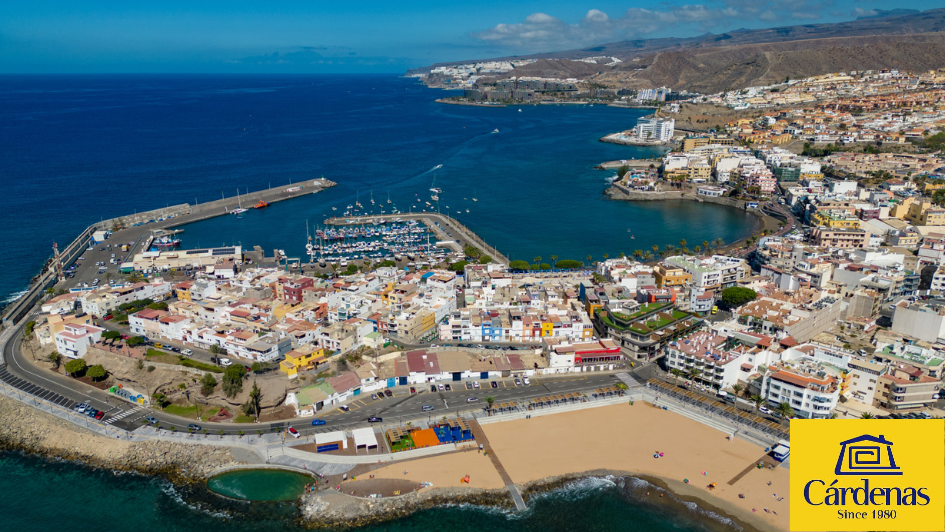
(77, 149)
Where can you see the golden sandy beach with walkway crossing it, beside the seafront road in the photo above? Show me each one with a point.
(621, 438)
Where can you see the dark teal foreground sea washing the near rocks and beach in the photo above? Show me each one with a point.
(40, 495)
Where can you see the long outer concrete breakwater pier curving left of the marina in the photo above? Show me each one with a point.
(138, 228)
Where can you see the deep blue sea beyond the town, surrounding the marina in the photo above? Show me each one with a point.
(76, 149)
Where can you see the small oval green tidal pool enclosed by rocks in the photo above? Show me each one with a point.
(260, 484)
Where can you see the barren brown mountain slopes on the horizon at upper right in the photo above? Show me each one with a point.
(741, 58)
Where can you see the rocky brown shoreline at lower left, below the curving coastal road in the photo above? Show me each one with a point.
(28, 429)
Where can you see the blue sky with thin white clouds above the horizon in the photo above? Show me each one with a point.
(237, 36)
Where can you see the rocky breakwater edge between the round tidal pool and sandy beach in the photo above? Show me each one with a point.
(330, 509)
